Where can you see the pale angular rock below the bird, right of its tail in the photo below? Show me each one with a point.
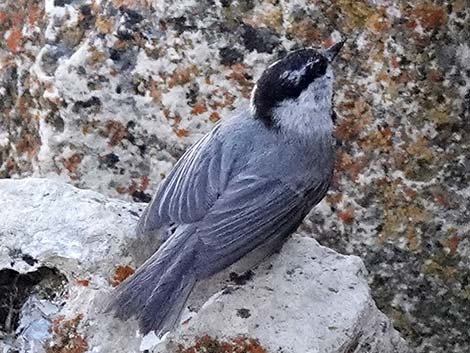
(305, 299)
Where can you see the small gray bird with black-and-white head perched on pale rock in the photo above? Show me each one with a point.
(245, 185)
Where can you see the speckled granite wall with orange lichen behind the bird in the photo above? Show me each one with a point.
(108, 94)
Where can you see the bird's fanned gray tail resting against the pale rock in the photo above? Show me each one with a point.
(155, 295)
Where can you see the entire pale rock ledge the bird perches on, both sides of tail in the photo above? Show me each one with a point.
(307, 298)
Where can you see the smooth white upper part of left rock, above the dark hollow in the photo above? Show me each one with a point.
(80, 232)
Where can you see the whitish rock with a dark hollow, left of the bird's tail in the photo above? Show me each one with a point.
(59, 246)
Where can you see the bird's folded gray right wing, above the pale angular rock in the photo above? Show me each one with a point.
(250, 212)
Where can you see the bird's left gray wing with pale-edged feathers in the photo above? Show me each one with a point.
(190, 189)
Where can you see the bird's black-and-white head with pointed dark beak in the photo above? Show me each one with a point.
(300, 83)
